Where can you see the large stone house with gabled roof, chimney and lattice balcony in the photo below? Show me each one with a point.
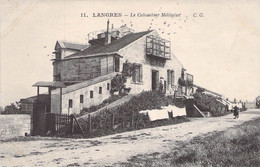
(87, 70)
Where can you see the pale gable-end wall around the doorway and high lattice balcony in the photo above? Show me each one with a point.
(136, 53)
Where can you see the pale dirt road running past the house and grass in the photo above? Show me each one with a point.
(111, 149)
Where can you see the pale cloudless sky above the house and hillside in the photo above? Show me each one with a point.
(221, 48)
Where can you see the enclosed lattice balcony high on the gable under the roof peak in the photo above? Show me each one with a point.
(158, 47)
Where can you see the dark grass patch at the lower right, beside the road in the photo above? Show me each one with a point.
(237, 146)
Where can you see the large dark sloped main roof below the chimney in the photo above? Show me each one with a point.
(112, 47)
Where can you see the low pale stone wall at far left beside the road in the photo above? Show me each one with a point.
(14, 125)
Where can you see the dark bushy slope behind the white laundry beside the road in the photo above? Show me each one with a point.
(126, 117)
